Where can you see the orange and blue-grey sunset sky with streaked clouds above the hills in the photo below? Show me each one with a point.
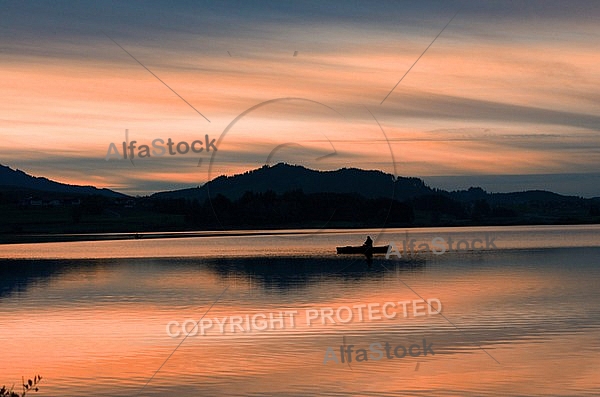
(506, 97)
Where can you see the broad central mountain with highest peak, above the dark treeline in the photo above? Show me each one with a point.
(282, 178)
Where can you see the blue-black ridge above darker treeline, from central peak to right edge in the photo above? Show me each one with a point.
(282, 178)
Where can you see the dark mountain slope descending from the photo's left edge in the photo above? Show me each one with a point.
(18, 180)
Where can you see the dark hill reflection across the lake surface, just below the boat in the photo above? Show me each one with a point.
(275, 273)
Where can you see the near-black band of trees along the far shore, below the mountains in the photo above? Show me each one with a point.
(293, 209)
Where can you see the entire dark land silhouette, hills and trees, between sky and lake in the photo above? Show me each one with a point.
(272, 197)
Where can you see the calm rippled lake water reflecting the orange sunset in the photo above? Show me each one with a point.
(519, 319)
